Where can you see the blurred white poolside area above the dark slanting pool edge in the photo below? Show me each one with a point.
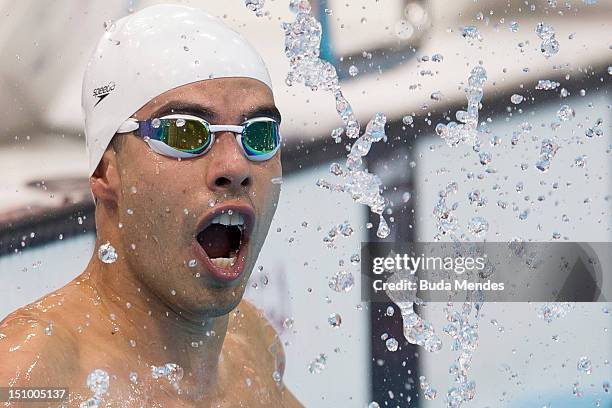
(45, 46)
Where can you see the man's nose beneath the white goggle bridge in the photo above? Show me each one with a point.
(228, 169)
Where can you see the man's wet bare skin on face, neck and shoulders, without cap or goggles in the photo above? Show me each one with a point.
(150, 307)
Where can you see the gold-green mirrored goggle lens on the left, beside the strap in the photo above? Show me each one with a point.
(186, 135)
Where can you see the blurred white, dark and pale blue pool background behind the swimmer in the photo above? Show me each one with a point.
(409, 60)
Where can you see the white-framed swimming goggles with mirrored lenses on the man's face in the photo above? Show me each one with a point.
(186, 136)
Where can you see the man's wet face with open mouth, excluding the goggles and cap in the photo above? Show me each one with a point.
(173, 213)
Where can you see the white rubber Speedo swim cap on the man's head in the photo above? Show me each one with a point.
(147, 53)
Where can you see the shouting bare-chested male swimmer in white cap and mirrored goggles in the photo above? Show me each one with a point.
(184, 147)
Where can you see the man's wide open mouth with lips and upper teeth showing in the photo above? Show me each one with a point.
(223, 238)
